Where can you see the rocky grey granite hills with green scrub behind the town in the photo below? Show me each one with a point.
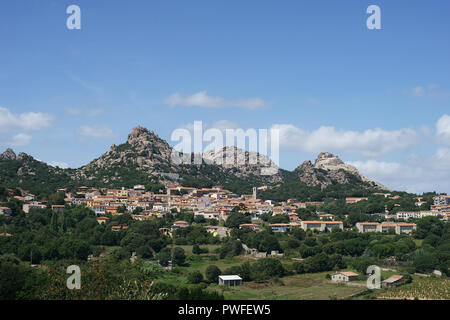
(146, 159)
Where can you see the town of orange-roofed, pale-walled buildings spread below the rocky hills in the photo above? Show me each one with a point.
(217, 203)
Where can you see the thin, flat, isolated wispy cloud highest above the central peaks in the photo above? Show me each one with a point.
(201, 99)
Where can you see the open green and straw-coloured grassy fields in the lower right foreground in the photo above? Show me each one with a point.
(304, 286)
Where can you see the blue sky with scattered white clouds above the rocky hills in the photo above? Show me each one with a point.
(378, 98)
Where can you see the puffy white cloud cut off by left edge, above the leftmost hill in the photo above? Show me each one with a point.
(27, 121)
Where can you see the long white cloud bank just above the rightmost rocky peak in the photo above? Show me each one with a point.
(369, 143)
